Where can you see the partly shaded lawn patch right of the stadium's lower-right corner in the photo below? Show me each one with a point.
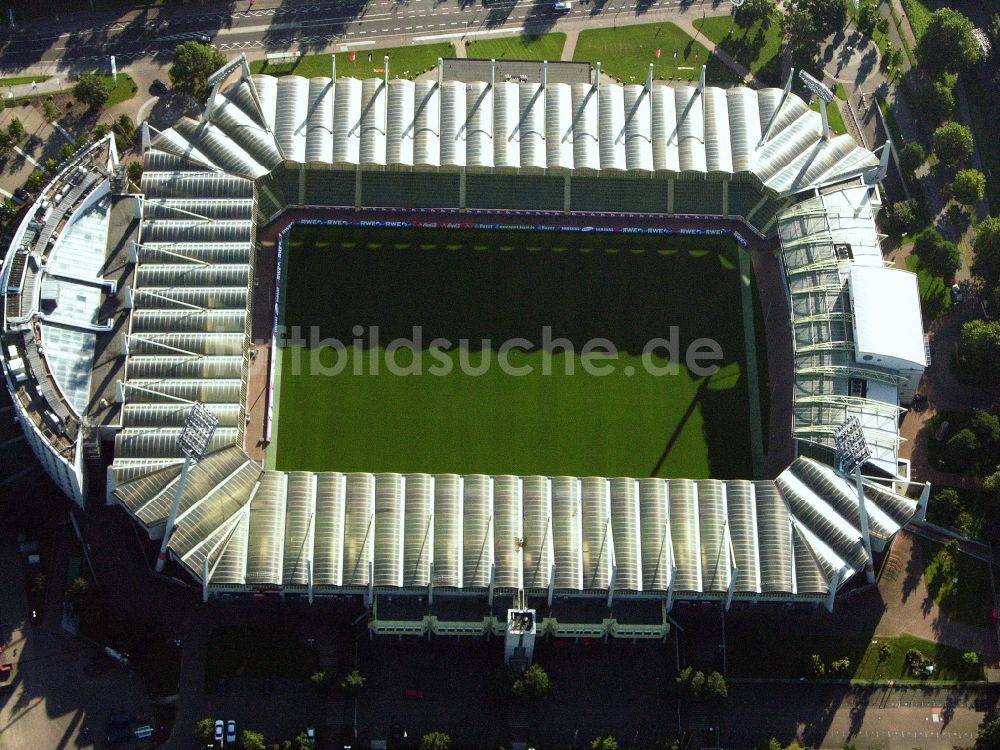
(968, 599)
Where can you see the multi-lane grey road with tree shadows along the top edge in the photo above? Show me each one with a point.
(316, 27)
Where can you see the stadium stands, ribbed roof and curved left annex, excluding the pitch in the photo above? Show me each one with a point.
(179, 324)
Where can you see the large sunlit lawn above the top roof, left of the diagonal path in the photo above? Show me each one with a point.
(626, 53)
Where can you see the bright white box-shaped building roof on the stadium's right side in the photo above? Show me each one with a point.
(887, 322)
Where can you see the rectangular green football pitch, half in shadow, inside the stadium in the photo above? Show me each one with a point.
(481, 364)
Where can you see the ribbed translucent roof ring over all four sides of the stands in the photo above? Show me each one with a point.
(188, 334)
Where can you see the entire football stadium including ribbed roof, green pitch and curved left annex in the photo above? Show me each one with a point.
(123, 311)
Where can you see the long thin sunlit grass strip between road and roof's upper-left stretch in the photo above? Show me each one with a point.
(404, 62)
